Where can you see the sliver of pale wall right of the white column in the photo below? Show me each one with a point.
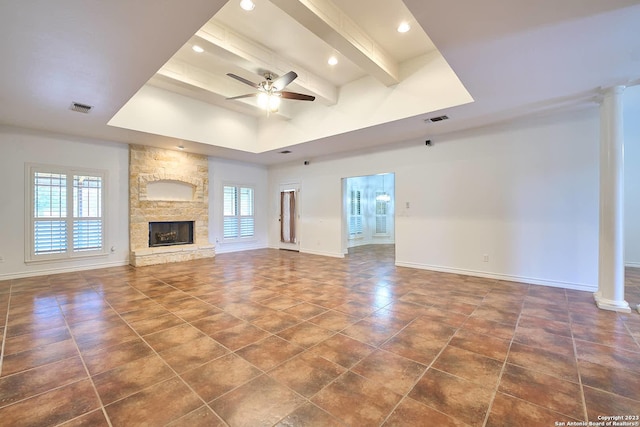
(632, 175)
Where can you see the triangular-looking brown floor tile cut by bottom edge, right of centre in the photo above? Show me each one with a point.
(411, 413)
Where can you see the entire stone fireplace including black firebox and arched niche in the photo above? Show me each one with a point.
(168, 206)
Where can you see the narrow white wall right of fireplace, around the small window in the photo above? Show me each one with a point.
(223, 172)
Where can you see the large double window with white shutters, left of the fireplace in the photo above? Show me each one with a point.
(66, 212)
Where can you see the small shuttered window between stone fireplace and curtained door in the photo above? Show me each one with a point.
(238, 212)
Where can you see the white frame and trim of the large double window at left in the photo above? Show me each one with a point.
(69, 255)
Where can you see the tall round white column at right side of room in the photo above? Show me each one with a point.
(610, 295)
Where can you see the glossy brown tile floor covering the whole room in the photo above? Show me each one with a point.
(271, 337)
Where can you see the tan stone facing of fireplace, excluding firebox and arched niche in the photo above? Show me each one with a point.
(150, 164)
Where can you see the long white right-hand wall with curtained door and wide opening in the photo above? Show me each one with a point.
(523, 196)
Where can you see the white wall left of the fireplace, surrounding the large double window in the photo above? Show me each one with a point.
(20, 146)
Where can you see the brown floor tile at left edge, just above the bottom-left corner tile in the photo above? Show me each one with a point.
(38, 380)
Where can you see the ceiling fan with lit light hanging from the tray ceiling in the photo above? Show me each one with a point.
(270, 91)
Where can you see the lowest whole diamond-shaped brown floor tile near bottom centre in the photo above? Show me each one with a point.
(307, 373)
